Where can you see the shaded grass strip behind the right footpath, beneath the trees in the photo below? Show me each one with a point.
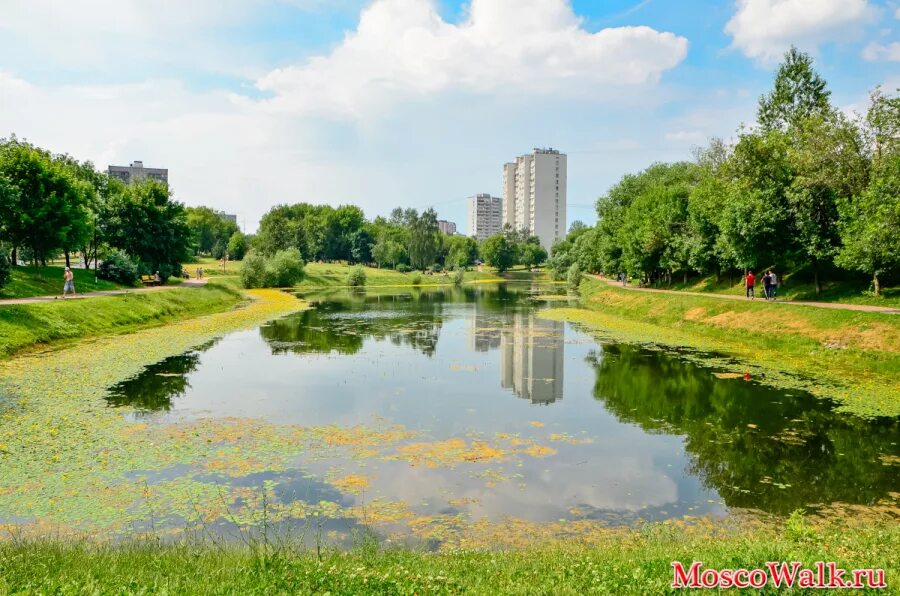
(797, 286)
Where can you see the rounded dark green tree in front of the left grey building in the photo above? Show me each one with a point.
(147, 224)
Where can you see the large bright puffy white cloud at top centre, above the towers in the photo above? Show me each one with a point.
(404, 48)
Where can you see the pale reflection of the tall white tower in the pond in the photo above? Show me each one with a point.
(532, 358)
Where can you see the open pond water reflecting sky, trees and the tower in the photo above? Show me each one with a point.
(514, 416)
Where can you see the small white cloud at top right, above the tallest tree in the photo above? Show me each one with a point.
(764, 29)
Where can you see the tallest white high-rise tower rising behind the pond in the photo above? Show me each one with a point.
(534, 195)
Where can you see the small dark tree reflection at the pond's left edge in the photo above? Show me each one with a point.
(158, 384)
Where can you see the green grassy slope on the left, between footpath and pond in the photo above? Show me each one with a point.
(27, 325)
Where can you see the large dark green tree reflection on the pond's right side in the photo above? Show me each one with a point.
(758, 447)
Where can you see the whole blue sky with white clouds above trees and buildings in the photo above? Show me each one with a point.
(413, 103)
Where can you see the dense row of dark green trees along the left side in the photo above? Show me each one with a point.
(53, 205)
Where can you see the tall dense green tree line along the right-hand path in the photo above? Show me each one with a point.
(809, 187)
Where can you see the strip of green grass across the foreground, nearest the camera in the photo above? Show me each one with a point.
(621, 562)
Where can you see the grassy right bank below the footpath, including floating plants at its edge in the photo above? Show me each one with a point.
(851, 357)
